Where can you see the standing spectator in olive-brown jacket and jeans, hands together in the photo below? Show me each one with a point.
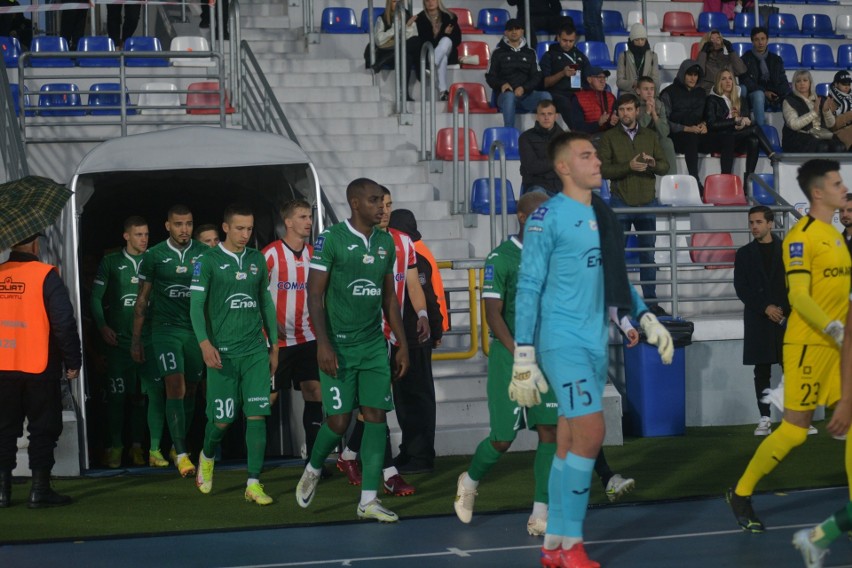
(632, 158)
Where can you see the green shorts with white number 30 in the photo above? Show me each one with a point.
(241, 383)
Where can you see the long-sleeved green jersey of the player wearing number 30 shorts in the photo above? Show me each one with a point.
(230, 301)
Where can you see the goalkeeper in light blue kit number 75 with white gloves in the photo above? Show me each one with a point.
(572, 267)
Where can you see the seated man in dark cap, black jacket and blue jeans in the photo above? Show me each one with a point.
(514, 74)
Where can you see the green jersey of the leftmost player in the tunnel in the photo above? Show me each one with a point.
(114, 293)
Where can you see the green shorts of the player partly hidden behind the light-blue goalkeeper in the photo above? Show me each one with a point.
(505, 416)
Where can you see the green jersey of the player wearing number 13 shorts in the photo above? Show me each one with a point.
(169, 270)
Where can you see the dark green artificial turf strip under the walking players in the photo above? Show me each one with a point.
(704, 462)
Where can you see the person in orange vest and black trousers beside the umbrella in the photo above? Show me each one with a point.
(38, 336)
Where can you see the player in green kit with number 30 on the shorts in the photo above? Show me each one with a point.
(230, 309)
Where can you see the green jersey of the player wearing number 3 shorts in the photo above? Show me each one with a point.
(357, 267)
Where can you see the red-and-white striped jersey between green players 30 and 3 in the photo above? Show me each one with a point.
(288, 285)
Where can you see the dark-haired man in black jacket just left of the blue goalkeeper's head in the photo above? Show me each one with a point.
(537, 172)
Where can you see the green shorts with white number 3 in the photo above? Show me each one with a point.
(363, 378)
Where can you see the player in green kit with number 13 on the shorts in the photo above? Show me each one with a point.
(164, 279)
